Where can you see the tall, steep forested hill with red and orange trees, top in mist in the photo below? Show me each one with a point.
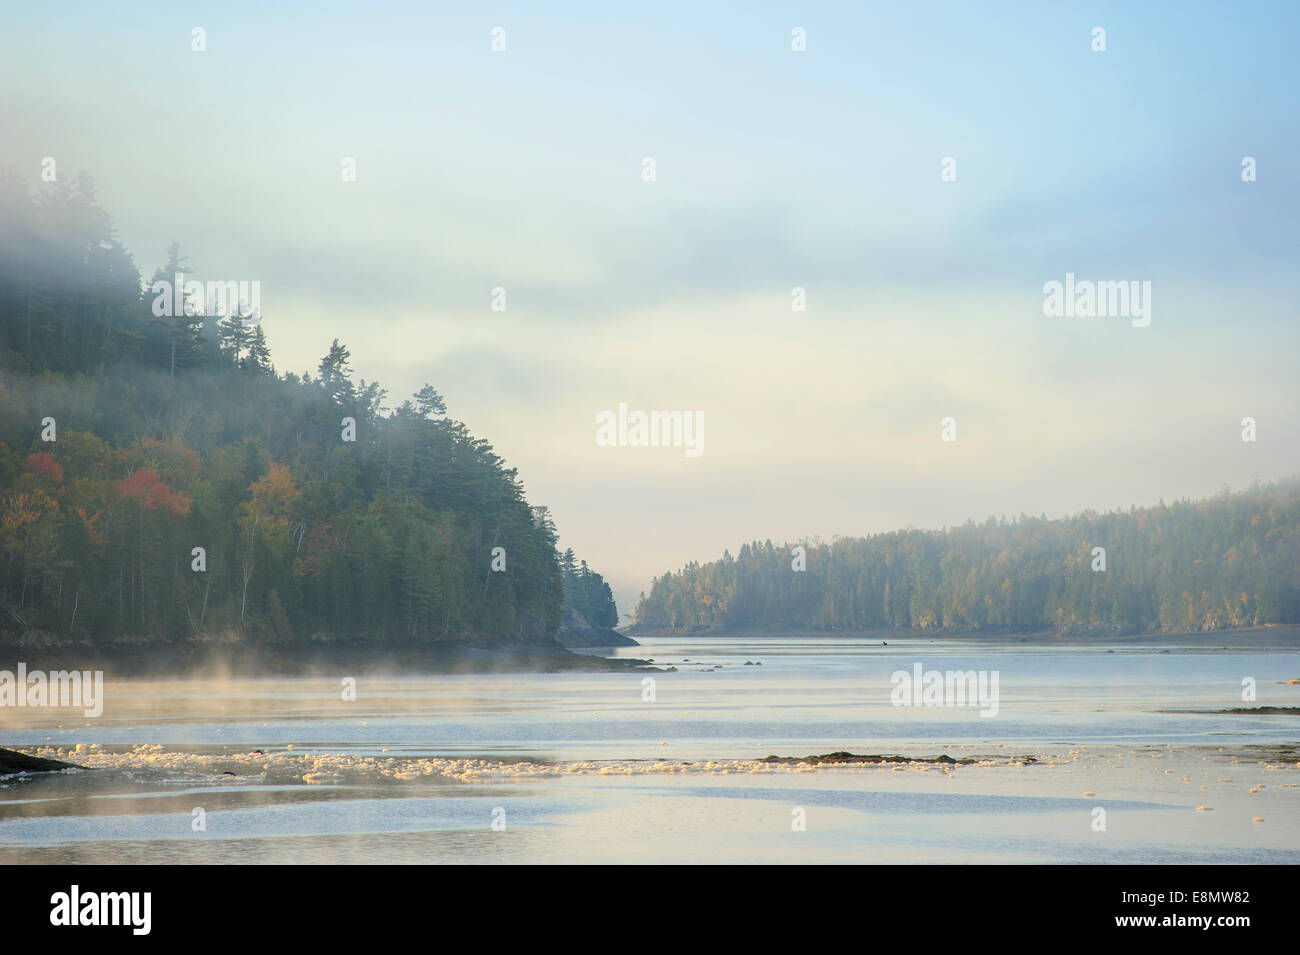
(131, 441)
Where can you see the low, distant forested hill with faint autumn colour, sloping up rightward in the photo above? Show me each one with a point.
(1232, 561)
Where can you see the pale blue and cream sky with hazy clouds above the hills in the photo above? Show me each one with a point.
(822, 170)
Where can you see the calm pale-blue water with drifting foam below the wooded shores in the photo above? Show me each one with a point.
(588, 769)
